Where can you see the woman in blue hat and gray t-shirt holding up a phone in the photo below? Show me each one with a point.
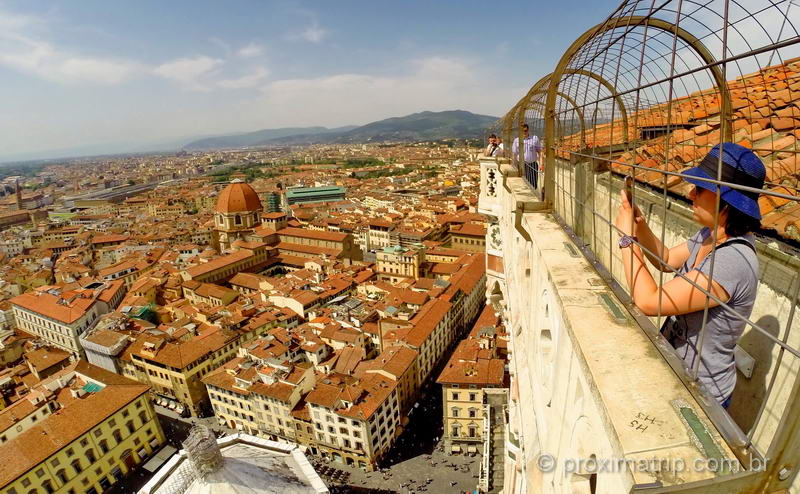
(734, 280)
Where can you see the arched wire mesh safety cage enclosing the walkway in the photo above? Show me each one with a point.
(646, 94)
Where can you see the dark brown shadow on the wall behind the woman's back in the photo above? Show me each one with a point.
(749, 393)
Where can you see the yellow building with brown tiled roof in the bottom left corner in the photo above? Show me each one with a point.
(79, 431)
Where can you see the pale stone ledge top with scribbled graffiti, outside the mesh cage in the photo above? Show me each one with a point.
(629, 378)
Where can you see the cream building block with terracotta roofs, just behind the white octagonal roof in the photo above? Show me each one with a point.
(352, 423)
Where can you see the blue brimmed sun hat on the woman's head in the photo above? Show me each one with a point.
(740, 166)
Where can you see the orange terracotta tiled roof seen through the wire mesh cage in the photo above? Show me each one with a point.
(765, 117)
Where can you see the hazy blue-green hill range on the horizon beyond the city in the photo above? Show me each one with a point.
(423, 126)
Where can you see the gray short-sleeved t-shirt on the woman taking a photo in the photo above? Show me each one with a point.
(736, 270)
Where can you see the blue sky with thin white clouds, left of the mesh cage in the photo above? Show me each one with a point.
(101, 76)
